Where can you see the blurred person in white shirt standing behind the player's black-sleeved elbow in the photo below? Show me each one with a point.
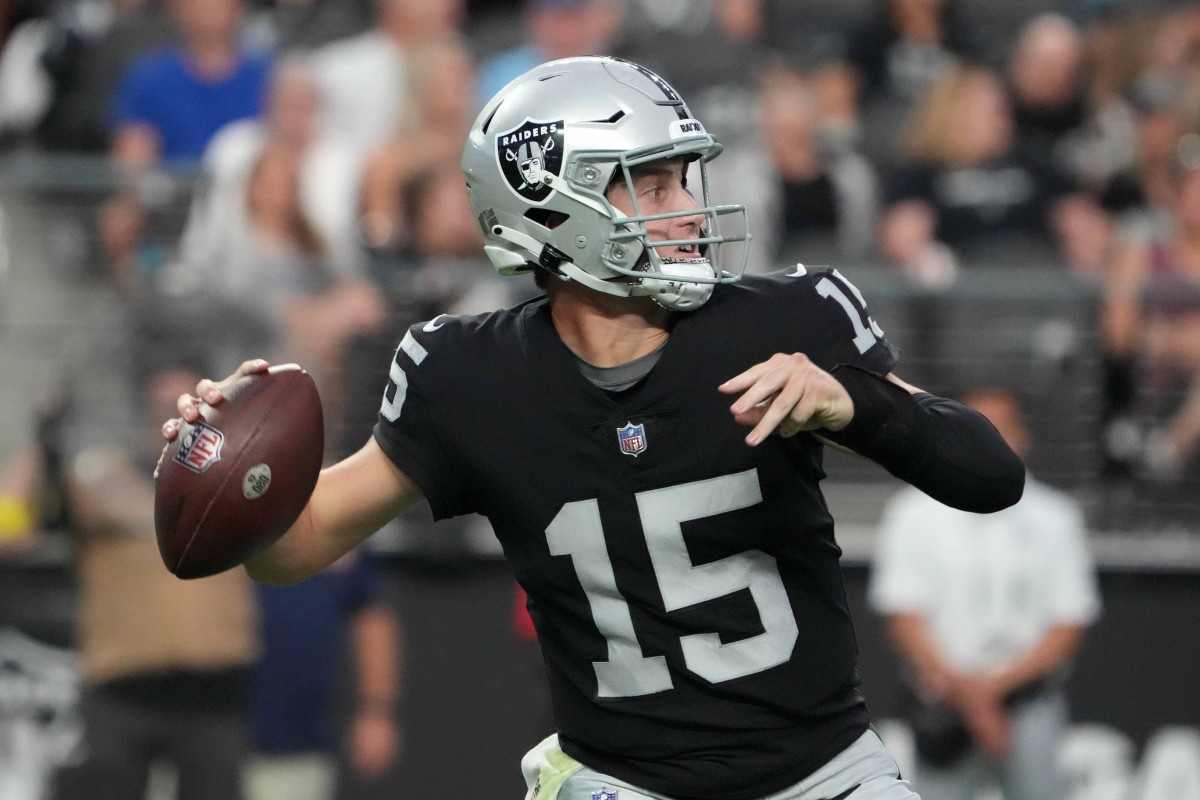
(987, 613)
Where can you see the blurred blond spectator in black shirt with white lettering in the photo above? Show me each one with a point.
(971, 196)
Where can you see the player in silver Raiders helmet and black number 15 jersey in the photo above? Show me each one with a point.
(647, 440)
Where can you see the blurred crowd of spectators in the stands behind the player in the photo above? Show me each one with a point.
(935, 137)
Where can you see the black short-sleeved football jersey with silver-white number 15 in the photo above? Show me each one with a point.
(685, 586)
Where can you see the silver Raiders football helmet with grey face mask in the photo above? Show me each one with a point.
(542, 155)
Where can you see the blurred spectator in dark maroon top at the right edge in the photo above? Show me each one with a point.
(1151, 323)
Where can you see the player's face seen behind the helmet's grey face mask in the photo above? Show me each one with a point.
(662, 188)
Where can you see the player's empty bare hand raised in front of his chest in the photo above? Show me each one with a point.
(789, 394)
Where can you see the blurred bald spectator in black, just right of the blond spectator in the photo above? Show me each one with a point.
(1046, 82)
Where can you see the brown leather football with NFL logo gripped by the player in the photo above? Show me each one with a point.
(232, 483)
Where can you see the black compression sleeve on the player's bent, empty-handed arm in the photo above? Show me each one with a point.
(945, 449)
